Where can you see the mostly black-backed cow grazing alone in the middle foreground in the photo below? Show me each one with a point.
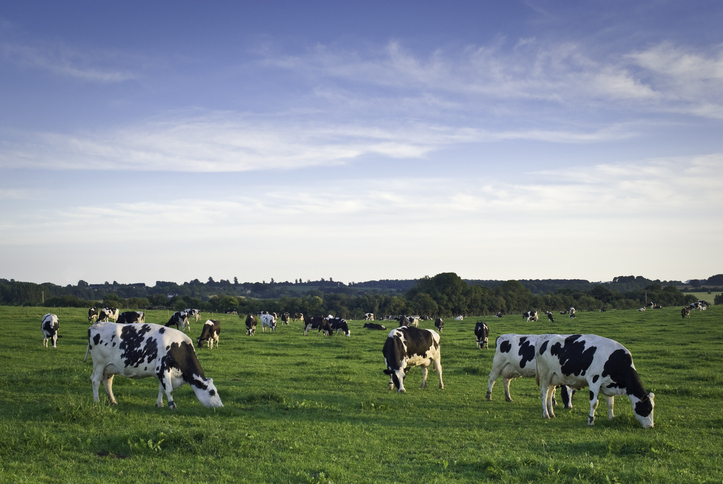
(407, 346)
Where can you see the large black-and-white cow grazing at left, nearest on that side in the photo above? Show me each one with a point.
(145, 350)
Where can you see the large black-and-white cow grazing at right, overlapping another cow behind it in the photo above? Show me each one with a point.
(603, 365)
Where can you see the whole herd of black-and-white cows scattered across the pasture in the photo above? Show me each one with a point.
(123, 344)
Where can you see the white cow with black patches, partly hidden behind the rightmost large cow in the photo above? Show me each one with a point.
(514, 358)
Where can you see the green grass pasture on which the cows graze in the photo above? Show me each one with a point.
(314, 409)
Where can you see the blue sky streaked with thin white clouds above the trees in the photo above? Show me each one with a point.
(285, 140)
